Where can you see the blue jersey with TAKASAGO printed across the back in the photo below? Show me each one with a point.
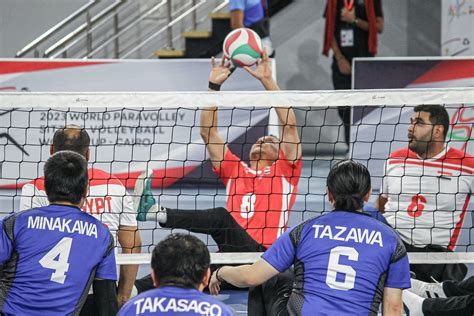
(170, 300)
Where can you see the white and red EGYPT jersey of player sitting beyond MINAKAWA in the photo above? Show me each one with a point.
(107, 200)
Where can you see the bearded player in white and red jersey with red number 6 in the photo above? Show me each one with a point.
(426, 189)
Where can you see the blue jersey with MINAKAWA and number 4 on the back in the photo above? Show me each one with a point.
(51, 255)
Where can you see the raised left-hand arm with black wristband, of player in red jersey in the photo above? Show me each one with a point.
(214, 142)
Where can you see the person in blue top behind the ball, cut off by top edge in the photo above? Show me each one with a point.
(252, 14)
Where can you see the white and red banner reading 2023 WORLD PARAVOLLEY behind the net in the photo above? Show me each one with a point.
(124, 141)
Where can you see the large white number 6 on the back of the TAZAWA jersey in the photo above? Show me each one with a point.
(334, 267)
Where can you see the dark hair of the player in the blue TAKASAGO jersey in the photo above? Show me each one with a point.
(180, 259)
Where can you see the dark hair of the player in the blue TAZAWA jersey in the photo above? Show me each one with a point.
(348, 181)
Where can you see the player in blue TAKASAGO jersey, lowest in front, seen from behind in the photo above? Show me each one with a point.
(180, 270)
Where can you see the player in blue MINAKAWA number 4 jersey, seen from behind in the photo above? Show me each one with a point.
(51, 255)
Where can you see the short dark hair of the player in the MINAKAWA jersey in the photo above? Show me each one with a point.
(65, 177)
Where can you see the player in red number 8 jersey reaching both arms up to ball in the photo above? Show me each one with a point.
(260, 194)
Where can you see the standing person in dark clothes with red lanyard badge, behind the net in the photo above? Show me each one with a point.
(351, 31)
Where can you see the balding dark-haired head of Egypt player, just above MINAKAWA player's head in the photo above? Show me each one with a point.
(72, 138)
